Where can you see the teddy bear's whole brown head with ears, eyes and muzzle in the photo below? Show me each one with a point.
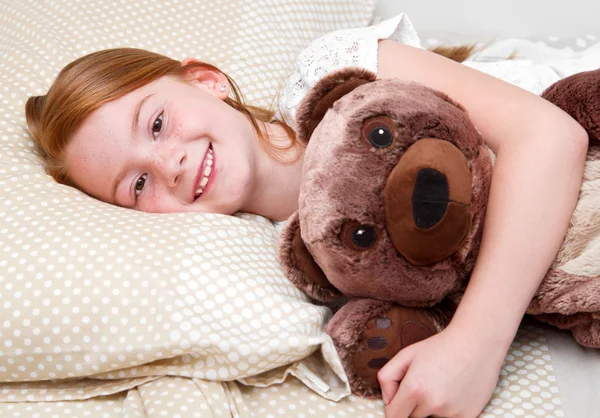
(393, 195)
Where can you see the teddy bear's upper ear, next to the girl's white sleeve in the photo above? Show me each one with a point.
(324, 94)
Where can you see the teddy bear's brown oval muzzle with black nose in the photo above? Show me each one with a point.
(427, 201)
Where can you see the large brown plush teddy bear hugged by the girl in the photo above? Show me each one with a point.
(391, 208)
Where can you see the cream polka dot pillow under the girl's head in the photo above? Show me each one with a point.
(88, 289)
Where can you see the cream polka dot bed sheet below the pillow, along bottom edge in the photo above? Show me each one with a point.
(527, 387)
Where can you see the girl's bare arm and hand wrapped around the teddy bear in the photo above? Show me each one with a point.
(540, 153)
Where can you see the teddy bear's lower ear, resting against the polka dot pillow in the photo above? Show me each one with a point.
(299, 265)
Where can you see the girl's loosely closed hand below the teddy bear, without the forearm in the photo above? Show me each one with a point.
(446, 375)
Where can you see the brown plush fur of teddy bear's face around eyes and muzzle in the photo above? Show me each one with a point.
(328, 191)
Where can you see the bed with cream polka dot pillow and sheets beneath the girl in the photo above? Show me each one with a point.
(105, 312)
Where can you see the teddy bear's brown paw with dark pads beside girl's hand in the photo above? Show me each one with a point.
(367, 333)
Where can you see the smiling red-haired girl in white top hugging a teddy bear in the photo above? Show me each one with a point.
(150, 133)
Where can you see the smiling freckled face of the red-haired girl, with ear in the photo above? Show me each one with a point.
(169, 146)
